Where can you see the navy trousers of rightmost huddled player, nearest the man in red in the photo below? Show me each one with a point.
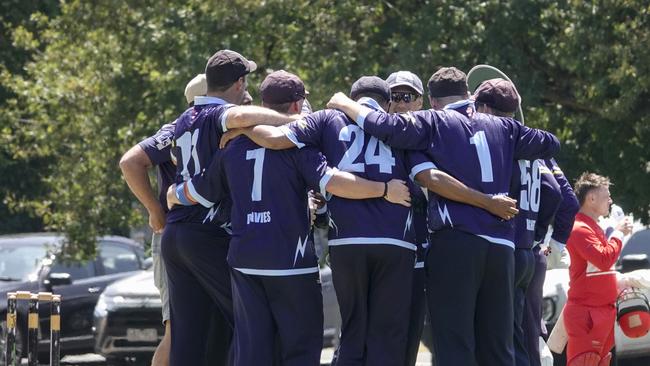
(532, 321)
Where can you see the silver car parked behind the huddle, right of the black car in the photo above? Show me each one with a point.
(128, 321)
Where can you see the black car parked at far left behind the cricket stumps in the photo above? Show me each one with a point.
(28, 262)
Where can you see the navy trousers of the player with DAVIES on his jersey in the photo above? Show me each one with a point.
(277, 316)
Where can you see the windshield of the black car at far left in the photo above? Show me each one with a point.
(18, 262)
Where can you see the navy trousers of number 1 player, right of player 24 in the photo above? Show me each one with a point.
(470, 284)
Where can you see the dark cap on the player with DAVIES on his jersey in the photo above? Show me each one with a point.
(282, 87)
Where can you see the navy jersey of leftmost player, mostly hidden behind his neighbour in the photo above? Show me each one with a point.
(158, 149)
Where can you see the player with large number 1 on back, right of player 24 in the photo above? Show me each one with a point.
(472, 322)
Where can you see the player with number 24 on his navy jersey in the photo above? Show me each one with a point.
(372, 263)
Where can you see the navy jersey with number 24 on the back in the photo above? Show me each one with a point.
(346, 147)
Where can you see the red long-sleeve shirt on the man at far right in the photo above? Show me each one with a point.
(592, 275)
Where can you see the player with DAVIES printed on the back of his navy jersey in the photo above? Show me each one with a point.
(275, 271)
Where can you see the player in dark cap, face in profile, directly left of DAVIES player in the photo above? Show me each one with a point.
(195, 241)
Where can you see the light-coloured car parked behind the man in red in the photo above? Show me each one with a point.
(635, 255)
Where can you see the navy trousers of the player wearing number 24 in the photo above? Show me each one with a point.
(373, 285)
